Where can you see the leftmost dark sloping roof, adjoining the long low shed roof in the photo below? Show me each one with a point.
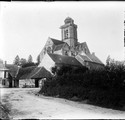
(12, 69)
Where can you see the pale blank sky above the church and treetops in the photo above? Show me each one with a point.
(26, 26)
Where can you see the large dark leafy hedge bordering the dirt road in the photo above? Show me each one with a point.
(104, 87)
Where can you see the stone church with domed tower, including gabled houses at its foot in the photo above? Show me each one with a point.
(68, 51)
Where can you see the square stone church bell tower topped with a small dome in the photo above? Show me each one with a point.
(69, 32)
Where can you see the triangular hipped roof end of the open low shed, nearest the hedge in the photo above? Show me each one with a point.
(42, 73)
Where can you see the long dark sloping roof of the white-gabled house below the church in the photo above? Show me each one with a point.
(68, 60)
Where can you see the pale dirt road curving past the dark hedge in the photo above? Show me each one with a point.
(23, 103)
